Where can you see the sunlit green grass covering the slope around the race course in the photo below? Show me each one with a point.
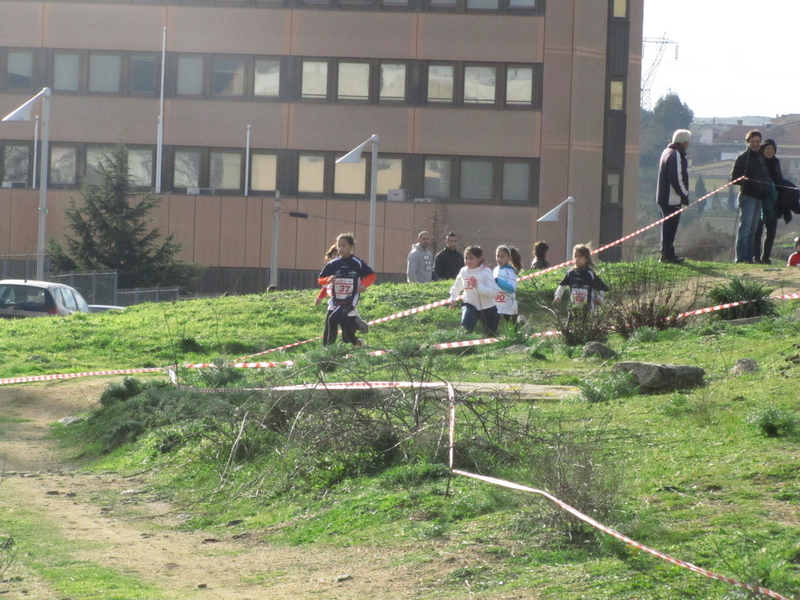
(697, 477)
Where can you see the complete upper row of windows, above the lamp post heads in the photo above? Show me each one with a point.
(287, 78)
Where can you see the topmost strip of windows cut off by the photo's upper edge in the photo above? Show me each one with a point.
(513, 7)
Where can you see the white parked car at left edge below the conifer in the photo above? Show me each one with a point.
(28, 298)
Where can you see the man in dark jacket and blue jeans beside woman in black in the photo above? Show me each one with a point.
(753, 190)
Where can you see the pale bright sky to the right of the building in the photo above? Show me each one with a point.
(735, 57)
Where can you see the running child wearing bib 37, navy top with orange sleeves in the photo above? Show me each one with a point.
(348, 276)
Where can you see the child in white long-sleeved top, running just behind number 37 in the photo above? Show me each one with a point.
(477, 282)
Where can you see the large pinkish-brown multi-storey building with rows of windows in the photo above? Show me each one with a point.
(489, 112)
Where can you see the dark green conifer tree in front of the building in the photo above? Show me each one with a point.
(111, 232)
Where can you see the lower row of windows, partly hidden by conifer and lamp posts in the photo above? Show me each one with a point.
(294, 172)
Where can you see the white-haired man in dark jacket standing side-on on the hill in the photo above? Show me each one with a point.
(672, 191)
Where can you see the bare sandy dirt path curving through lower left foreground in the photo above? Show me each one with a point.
(235, 566)
